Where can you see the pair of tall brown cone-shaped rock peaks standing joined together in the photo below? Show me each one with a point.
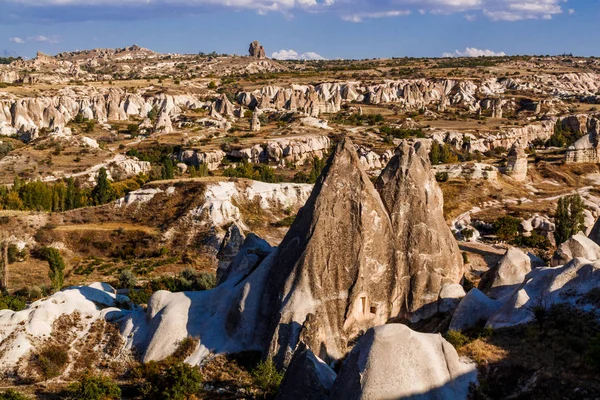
(355, 259)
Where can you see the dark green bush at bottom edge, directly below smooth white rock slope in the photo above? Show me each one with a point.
(177, 382)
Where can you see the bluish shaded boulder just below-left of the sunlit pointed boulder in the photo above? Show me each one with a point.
(475, 308)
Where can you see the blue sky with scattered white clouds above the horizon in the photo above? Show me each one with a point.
(330, 28)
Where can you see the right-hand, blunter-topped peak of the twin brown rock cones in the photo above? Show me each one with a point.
(425, 249)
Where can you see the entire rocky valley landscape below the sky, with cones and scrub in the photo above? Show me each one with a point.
(214, 226)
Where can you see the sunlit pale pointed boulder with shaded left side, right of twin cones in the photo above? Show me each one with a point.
(505, 277)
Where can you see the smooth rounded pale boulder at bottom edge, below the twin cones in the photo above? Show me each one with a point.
(394, 362)
